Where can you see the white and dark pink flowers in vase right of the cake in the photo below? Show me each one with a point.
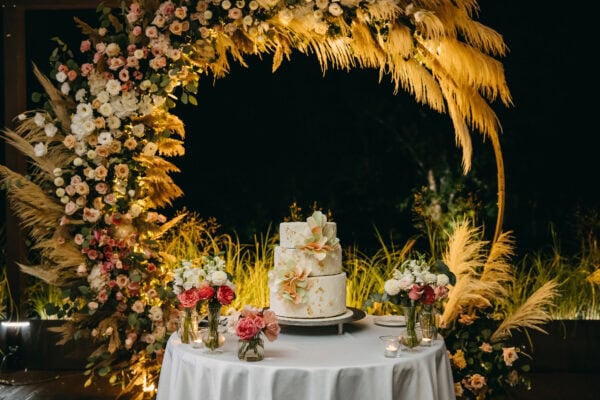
(414, 282)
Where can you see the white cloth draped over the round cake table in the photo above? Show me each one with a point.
(307, 363)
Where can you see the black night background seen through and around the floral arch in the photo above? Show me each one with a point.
(259, 141)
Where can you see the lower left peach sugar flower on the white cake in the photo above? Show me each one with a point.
(291, 282)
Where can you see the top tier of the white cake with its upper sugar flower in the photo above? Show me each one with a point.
(315, 234)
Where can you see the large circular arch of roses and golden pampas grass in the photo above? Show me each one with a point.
(99, 148)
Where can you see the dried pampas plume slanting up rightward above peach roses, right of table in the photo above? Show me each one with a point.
(533, 313)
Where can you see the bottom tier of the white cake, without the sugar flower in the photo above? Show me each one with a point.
(326, 298)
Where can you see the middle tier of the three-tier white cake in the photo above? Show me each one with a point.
(330, 265)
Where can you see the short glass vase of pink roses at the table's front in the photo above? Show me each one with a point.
(250, 326)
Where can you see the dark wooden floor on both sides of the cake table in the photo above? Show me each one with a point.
(68, 385)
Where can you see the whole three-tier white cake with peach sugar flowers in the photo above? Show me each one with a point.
(307, 279)
